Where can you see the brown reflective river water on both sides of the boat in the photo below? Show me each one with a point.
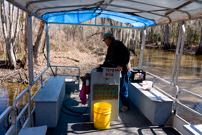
(157, 62)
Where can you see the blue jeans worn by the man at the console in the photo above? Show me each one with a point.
(124, 88)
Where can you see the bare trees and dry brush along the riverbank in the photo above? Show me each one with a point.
(77, 45)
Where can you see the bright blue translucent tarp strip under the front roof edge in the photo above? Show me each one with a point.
(78, 17)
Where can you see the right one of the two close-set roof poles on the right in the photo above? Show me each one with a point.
(180, 55)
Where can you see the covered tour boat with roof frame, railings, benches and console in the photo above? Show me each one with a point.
(55, 108)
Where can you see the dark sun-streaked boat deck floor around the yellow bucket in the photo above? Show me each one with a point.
(130, 122)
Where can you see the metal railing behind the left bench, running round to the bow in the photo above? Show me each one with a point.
(12, 110)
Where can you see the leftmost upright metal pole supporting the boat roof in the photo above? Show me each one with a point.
(30, 50)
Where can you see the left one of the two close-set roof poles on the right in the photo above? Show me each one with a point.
(176, 55)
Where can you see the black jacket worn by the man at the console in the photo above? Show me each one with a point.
(118, 53)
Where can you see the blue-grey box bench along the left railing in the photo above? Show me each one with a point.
(49, 101)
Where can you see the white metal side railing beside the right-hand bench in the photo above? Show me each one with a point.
(177, 96)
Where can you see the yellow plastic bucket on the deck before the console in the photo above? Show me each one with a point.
(102, 114)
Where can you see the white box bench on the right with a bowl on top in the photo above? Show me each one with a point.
(154, 105)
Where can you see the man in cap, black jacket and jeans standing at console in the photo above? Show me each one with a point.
(119, 55)
